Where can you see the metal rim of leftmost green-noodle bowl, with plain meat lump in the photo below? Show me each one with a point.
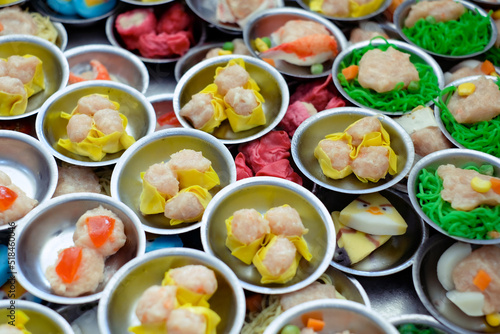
(416, 53)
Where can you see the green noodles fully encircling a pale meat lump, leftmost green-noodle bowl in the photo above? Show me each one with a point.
(398, 99)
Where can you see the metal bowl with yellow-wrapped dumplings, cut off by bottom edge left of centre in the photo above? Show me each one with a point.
(116, 310)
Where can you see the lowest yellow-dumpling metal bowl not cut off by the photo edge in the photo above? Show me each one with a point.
(262, 194)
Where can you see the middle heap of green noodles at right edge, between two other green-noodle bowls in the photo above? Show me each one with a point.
(481, 136)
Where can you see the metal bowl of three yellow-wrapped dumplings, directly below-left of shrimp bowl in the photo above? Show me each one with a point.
(273, 88)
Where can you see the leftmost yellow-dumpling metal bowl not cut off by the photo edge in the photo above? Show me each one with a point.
(50, 127)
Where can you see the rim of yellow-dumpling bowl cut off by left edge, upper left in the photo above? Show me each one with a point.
(50, 47)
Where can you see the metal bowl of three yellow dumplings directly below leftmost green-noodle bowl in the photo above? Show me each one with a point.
(315, 128)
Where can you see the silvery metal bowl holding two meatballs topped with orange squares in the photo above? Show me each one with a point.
(49, 228)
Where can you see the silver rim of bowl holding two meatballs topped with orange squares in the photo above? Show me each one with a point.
(50, 204)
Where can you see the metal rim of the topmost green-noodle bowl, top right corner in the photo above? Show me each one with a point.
(402, 12)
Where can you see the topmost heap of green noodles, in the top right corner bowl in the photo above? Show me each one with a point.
(469, 34)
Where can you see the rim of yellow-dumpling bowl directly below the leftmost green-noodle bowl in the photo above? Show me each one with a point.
(405, 137)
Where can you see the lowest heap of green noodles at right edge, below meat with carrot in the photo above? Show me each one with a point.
(479, 223)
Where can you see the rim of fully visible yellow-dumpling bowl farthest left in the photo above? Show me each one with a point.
(39, 123)
